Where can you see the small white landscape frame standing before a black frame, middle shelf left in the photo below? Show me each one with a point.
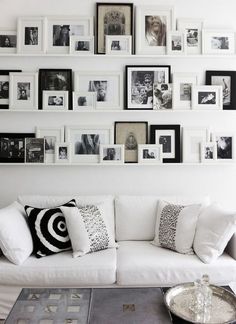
(55, 100)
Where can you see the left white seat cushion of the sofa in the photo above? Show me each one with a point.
(61, 270)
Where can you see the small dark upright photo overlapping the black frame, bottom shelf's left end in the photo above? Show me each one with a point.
(34, 150)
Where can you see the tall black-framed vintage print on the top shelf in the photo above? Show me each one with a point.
(101, 29)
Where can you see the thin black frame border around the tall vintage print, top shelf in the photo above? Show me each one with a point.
(131, 5)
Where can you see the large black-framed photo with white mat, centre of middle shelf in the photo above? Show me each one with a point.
(145, 71)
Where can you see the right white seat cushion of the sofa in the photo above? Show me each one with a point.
(141, 263)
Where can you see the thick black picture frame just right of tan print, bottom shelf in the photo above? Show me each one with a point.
(176, 129)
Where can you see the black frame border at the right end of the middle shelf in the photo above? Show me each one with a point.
(232, 75)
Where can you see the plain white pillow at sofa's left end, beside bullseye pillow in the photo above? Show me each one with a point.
(15, 237)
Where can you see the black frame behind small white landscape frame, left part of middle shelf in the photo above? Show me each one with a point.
(42, 82)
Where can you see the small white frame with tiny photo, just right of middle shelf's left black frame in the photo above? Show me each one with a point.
(83, 100)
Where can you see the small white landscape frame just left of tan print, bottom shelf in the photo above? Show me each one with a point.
(112, 154)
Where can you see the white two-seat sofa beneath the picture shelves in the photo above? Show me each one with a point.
(135, 263)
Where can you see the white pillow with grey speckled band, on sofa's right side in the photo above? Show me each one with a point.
(175, 226)
